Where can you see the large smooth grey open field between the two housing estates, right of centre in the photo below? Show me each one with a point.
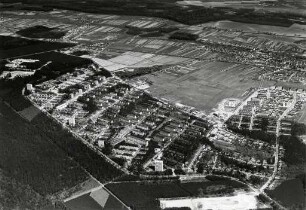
(206, 86)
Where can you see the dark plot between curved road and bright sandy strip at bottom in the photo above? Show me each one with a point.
(142, 195)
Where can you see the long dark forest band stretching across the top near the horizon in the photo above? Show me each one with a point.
(164, 9)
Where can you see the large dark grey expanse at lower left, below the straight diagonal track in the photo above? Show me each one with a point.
(28, 155)
